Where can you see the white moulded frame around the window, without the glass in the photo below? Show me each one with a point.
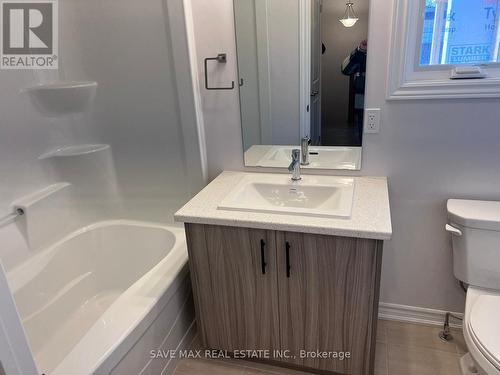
(407, 79)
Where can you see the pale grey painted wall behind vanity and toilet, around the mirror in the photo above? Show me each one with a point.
(430, 150)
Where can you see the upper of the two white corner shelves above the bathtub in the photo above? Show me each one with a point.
(60, 98)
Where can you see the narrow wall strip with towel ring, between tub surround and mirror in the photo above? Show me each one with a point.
(214, 33)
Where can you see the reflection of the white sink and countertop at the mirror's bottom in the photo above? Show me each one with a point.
(319, 157)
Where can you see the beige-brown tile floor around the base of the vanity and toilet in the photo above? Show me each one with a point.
(402, 349)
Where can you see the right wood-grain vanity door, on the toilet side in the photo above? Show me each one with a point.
(328, 297)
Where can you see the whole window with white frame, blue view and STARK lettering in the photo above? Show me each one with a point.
(436, 40)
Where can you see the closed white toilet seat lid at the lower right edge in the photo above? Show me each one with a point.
(485, 327)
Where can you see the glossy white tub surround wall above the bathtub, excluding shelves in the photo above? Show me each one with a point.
(141, 66)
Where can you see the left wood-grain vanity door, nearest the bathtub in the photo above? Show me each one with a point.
(234, 274)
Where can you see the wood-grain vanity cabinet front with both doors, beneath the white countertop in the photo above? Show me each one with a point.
(263, 289)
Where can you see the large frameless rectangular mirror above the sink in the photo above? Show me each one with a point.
(302, 70)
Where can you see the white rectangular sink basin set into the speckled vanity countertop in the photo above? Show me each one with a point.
(326, 196)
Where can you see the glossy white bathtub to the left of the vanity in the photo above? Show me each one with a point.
(89, 302)
